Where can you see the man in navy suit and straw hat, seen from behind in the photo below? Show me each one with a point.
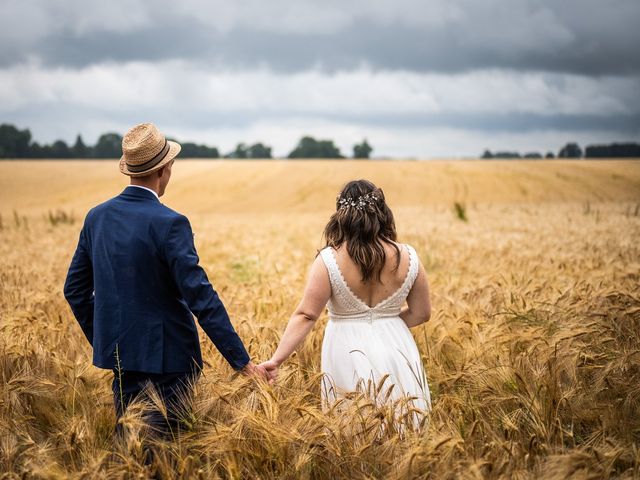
(134, 282)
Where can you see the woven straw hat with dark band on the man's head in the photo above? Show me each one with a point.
(145, 150)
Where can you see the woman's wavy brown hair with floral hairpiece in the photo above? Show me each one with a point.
(364, 221)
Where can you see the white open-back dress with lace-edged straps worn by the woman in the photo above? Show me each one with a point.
(362, 344)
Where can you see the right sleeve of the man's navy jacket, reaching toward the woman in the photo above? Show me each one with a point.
(203, 301)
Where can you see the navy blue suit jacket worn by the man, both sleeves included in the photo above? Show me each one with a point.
(133, 284)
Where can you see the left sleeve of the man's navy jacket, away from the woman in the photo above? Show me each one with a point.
(78, 287)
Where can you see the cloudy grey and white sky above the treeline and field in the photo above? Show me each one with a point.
(416, 78)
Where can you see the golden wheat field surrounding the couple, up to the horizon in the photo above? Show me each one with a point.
(532, 352)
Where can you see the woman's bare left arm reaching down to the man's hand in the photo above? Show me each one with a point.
(314, 299)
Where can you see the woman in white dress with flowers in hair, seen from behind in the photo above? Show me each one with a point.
(366, 278)
